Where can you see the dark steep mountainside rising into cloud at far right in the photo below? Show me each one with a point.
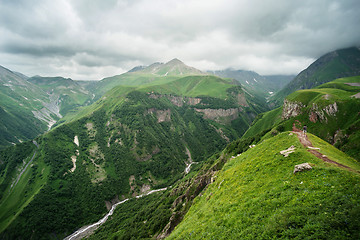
(333, 65)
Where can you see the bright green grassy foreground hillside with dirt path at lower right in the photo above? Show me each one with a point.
(257, 196)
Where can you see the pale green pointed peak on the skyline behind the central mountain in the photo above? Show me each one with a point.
(156, 73)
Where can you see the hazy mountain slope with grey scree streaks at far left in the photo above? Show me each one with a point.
(30, 106)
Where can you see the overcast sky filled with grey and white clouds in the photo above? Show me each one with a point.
(93, 39)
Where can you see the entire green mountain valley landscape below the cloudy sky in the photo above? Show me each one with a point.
(169, 151)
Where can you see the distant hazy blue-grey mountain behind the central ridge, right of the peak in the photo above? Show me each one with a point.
(265, 85)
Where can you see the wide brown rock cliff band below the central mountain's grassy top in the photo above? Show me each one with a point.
(218, 114)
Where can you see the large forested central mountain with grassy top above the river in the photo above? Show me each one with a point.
(130, 141)
